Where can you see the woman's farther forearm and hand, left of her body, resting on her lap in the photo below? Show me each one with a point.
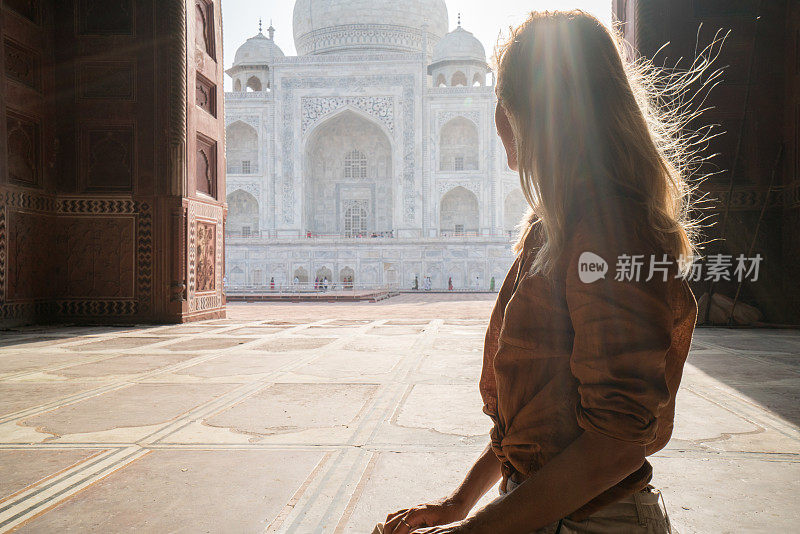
(480, 478)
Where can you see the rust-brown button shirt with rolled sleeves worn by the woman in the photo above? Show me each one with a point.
(563, 356)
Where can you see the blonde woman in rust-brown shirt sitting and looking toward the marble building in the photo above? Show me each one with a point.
(581, 365)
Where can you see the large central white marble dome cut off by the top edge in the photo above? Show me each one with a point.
(334, 26)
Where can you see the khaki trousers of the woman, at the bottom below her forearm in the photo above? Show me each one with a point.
(640, 513)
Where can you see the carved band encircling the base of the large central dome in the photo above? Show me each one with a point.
(349, 36)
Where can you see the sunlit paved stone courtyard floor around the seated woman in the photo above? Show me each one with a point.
(305, 418)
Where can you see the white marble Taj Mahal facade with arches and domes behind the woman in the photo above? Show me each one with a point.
(369, 159)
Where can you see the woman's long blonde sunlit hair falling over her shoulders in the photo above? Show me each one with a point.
(589, 124)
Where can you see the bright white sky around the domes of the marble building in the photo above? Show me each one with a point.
(485, 18)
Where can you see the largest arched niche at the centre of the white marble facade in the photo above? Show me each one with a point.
(348, 177)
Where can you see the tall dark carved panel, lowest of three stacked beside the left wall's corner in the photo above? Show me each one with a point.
(107, 158)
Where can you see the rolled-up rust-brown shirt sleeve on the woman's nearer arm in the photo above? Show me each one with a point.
(622, 332)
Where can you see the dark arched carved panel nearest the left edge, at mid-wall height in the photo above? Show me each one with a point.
(23, 143)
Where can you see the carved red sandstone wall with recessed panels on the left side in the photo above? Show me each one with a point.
(102, 215)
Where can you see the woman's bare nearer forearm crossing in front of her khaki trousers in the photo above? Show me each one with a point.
(590, 465)
